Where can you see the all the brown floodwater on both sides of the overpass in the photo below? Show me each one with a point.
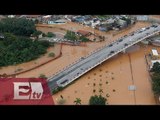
(110, 79)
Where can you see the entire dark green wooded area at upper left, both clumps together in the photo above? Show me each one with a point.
(15, 45)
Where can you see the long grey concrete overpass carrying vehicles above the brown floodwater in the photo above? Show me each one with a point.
(85, 64)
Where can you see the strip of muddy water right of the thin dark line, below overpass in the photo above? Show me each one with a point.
(141, 79)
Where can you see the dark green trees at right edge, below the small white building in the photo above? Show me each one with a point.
(156, 78)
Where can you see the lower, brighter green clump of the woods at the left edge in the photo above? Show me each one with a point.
(15, 50)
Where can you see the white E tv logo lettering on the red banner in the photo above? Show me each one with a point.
(27, 90)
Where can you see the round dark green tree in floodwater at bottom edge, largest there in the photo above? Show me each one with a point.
(97, 100)
